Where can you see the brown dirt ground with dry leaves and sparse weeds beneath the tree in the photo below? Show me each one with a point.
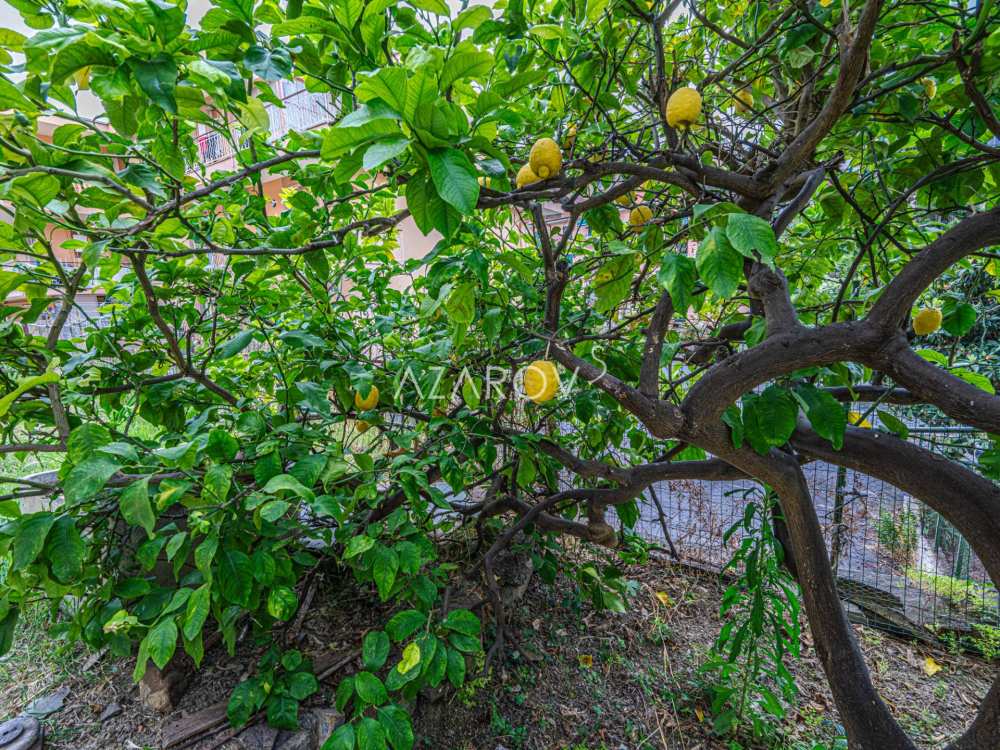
(574, 678)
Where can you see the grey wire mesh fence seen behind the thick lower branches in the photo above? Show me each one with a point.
(900, 565)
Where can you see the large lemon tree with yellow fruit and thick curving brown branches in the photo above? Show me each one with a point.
(270, 274)
